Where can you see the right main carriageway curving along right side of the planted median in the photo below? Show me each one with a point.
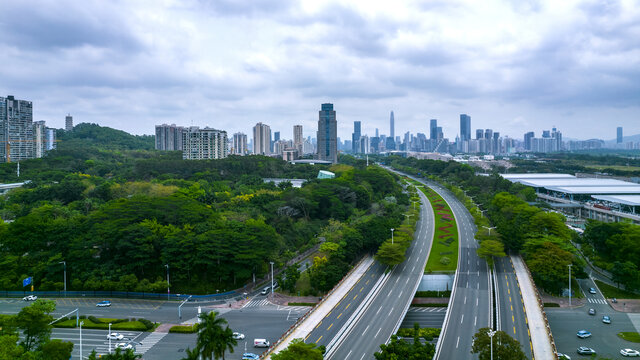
(469, 307)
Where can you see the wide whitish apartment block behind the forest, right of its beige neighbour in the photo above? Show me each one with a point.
(201, 144)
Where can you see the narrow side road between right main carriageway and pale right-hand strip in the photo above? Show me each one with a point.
(511, 311)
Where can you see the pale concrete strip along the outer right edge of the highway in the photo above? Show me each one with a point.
(538, 328)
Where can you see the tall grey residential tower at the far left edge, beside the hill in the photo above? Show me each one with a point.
(16, 129)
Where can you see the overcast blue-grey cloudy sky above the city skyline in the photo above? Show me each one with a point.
(512, 65)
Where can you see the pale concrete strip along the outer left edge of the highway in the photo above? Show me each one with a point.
(318, 313)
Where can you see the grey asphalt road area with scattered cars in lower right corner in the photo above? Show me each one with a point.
(565, 323)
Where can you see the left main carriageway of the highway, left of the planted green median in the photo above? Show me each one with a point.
(381, 318)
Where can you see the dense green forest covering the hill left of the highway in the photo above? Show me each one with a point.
(117, 212)
